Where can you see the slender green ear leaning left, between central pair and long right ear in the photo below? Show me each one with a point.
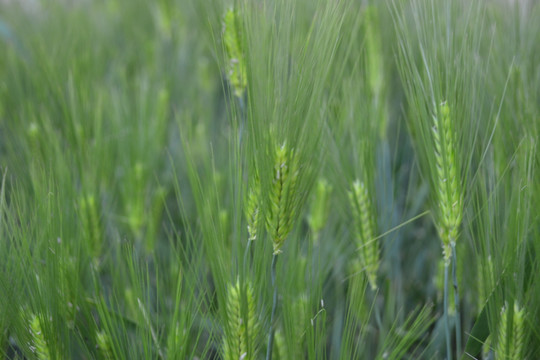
(363, 218)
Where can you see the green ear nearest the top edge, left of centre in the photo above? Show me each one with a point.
(233, 40)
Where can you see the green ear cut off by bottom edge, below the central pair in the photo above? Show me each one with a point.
(242, 327)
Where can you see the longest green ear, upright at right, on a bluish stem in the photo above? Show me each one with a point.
(449, 197)
